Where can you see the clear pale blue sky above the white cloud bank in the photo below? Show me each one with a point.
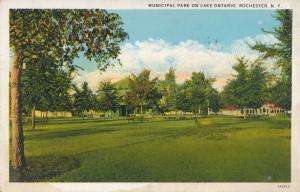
(205, 26)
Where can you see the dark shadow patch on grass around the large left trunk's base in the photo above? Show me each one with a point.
(43, 168)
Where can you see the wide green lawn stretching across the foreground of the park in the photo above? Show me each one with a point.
(220, 149)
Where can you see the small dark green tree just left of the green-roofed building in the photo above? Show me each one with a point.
(107, 96)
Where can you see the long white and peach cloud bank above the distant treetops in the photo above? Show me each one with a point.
(186, 57)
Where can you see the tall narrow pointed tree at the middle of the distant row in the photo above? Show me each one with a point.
(169, 88)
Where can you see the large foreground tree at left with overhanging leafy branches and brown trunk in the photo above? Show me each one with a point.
(61, 35)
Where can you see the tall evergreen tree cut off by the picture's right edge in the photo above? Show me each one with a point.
(281, 51)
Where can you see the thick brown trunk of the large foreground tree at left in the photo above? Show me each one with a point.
(18, 157)
